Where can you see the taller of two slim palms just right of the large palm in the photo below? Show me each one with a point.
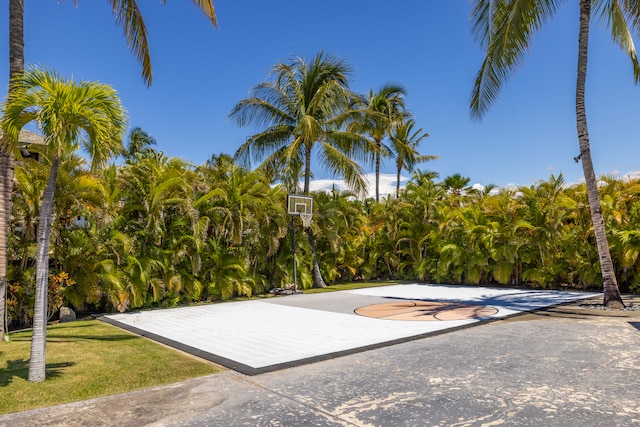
(382, 109)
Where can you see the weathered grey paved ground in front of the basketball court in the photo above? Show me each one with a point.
(563, 366)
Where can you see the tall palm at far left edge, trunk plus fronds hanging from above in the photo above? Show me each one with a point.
(128, 15)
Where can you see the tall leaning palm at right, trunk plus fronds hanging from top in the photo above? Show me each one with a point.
(505, 29)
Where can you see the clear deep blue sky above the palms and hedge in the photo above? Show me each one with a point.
(426, 46)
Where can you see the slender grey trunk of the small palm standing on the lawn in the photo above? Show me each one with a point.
(37, 361)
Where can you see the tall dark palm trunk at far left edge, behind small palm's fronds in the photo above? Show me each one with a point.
(7, 161)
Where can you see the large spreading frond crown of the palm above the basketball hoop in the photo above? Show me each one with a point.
(301, 109)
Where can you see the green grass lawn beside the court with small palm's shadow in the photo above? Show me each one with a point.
(87, 359)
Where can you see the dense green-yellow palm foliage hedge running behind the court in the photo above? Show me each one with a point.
(158, 231)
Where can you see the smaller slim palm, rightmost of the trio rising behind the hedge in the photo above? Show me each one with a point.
(405, 143)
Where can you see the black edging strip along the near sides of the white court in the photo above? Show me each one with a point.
(251, 371)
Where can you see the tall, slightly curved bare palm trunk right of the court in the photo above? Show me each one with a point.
(612, 296)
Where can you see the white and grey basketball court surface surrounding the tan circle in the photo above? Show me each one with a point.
(264, 335)
